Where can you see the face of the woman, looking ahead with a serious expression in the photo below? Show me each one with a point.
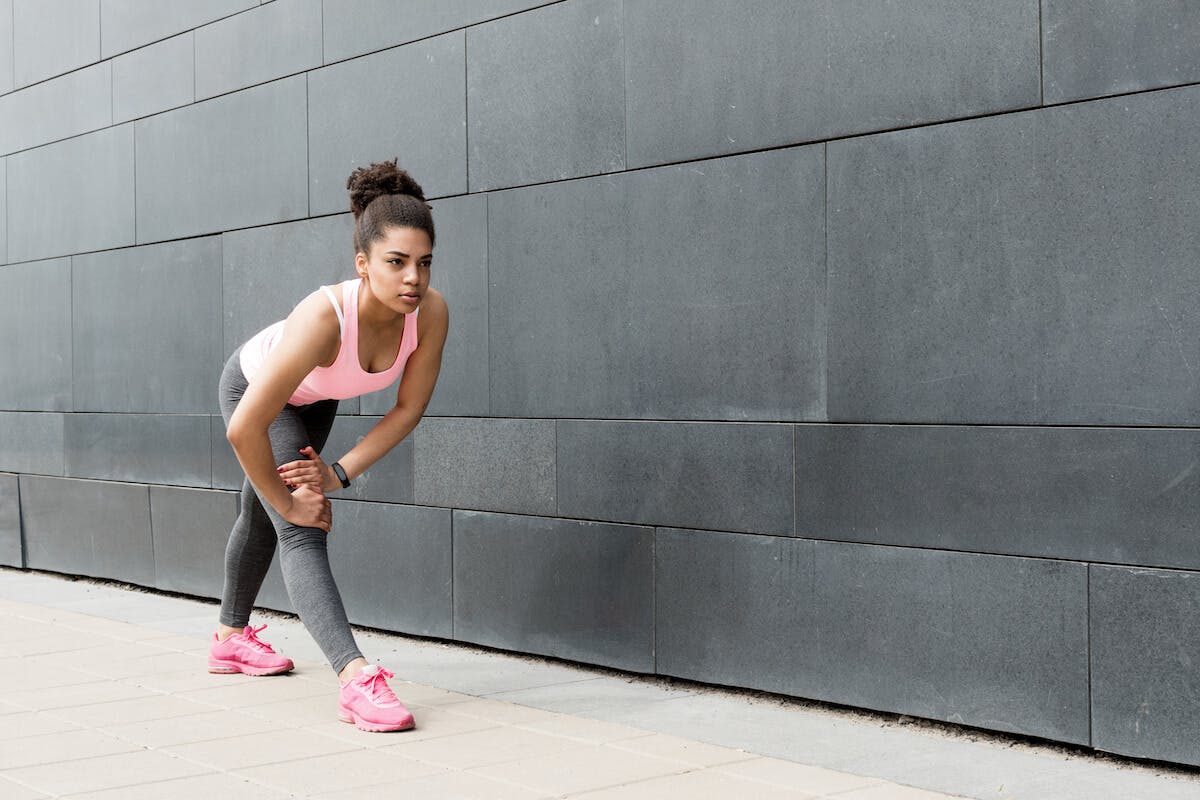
(398, 268)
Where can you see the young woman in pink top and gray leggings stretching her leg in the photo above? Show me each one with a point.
(279, 395)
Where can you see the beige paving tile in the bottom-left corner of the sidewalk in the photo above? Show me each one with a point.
(105, 773)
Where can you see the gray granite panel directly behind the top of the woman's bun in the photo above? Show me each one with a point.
(422, 119)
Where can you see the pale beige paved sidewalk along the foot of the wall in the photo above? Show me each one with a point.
(107, 697)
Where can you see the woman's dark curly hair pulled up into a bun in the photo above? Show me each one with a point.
(385, 196)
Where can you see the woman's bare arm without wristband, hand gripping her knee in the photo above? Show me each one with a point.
(311, 335)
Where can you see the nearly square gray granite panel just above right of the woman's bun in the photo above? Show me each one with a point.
(545, 95)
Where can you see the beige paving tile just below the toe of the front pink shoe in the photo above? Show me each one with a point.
(484, 748)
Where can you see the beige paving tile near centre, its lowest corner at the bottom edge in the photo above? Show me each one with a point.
(581, 771)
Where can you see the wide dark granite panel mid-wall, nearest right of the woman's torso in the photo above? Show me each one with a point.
(663, 293)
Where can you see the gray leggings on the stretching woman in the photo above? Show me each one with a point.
(304, 555)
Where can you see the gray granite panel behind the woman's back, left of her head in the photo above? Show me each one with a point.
(268, 270)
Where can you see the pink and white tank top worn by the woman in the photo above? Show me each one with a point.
(346, 377)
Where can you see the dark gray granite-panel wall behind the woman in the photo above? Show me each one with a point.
(845, 351)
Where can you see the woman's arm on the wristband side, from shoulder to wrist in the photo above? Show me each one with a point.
(416, 389)
